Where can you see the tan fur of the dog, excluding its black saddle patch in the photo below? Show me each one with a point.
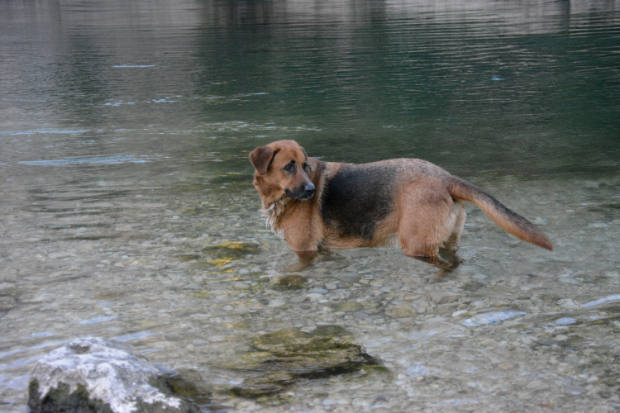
(426, 204)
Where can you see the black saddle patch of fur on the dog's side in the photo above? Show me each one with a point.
(357, 198)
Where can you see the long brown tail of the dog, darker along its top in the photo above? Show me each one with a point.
(506, 219)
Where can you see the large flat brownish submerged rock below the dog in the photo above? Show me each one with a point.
(280, 359)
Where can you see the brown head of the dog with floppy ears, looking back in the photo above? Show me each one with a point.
(282, 169)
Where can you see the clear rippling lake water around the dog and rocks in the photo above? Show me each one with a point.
(125, 190)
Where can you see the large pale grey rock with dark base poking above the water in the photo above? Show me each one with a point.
(97, 375)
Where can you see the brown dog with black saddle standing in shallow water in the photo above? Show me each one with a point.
(314, 204)
